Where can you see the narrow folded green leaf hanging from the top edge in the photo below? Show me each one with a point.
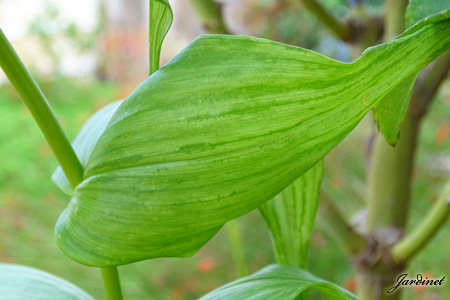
(160, 20)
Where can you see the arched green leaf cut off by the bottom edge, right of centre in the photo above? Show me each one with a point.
(278, 282)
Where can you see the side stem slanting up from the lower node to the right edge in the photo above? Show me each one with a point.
(425, 230)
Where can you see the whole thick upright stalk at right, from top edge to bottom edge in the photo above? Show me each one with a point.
(389, 184)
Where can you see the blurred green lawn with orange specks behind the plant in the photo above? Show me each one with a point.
(30, 204)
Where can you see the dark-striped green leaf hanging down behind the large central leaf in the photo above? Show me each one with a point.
(290, 217)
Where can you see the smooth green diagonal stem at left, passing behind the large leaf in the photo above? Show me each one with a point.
(41, 111)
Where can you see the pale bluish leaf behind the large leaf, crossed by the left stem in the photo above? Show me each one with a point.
(85, 142)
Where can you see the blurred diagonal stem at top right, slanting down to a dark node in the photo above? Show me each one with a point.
(339, 28)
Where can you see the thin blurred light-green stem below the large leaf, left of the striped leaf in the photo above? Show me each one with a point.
(237, 249)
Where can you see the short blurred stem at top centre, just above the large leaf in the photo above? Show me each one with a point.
(210, 15)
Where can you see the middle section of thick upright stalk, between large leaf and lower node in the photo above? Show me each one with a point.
(389, 179)
